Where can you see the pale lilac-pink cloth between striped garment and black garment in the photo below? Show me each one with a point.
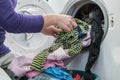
(87, 39)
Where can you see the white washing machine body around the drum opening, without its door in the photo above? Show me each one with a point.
(108, 63)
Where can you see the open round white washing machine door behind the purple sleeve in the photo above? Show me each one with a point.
(30, 42)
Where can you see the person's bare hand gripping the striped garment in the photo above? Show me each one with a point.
(65, 22)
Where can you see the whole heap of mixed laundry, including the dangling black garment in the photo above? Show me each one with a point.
(50, 63)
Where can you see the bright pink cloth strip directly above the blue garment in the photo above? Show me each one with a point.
(54, 63)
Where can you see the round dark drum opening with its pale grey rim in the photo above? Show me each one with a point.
(82, 9)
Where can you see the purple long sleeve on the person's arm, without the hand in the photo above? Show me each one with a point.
(18, 23)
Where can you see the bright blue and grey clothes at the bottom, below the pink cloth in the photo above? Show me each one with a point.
(53, 73)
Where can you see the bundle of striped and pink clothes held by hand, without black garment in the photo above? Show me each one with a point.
(66, 46)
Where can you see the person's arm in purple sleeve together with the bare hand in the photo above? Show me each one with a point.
(18, 23)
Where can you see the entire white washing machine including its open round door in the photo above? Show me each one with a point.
(108, 63)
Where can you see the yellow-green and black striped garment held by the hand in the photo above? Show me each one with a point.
(68, 40)
